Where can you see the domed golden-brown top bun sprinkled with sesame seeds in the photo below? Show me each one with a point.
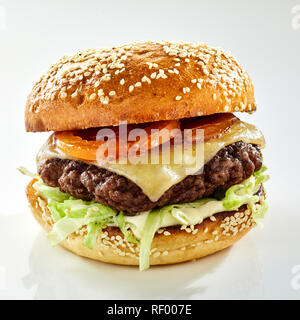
(136, 83)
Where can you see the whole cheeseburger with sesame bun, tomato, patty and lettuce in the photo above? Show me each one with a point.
(147, 164)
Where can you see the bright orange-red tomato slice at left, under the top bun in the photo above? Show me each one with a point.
(85, 144)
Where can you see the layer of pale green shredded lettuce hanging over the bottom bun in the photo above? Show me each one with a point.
(71, 214)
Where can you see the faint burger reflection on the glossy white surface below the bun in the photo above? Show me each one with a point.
(61, 274)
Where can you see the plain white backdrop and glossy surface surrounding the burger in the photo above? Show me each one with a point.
(264, 35)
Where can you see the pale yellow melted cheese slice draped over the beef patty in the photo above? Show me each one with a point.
(156, 179)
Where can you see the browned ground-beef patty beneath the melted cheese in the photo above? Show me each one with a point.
(231, 165)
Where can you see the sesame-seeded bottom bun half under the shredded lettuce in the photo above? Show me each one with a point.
(170, 245)
